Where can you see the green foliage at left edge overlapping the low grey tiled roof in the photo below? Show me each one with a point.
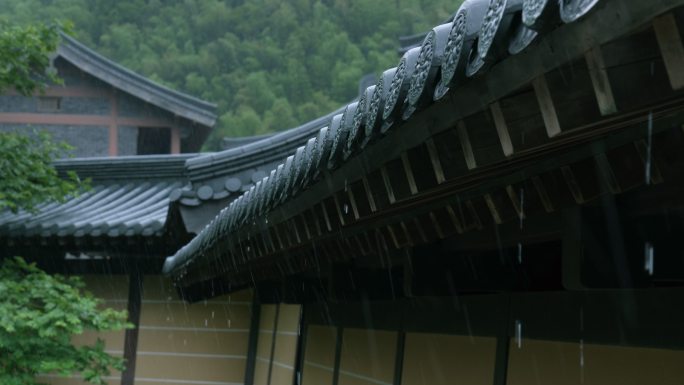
(27, 177)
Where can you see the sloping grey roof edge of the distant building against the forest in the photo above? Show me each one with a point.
(180, 104)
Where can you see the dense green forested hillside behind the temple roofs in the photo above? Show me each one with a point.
(268, 64)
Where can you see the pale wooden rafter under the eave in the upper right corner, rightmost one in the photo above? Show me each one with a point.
(670, 42)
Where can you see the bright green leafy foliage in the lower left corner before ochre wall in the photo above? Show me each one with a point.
(39, 315)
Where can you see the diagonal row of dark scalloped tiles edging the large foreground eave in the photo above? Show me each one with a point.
(481, 33)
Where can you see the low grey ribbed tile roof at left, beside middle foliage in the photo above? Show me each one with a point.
(129, 197)
